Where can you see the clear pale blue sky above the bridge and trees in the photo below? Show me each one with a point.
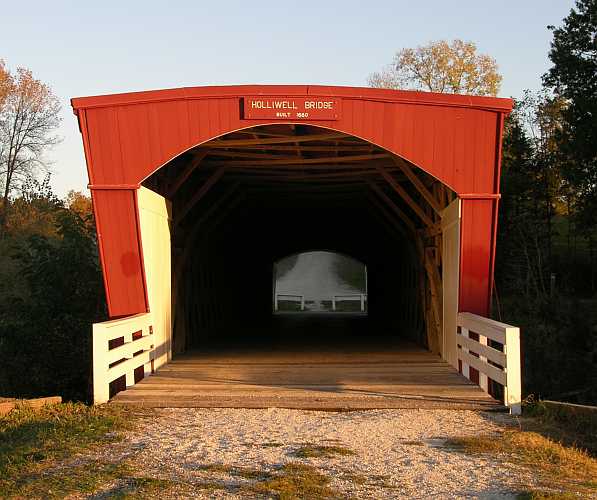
(87, 48)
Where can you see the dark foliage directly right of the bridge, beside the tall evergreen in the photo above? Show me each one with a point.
(537, 289)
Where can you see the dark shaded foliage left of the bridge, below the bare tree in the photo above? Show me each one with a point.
(55, 295)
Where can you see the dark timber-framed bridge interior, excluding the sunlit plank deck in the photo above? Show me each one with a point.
(245, 200)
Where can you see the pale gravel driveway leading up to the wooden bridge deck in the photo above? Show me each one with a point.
(388, 453)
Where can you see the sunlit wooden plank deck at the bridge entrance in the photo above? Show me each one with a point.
(404, 376)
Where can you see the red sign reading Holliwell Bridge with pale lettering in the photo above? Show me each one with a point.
(290, 108)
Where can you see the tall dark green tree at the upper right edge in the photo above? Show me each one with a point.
(573, 77)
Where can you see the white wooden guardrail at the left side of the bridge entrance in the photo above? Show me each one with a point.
(133, 341)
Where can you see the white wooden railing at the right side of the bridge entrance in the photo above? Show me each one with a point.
(500, 363)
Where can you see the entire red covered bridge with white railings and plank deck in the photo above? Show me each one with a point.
(197, 193)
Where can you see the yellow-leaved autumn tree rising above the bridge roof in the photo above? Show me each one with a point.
(441, 67)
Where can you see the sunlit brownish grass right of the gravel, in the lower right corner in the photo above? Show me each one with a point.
(556, 465)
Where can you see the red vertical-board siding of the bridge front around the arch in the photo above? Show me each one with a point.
(129, 136)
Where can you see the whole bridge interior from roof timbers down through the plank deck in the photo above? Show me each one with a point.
(245, 200)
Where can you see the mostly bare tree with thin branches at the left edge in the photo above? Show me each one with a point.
(28, 119)
